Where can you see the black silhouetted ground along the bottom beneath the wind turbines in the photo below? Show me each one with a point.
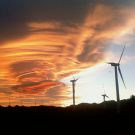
(101, 119)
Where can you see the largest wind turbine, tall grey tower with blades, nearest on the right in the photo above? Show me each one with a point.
(116, 69)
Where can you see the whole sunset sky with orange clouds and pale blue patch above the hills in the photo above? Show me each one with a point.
(44, 43)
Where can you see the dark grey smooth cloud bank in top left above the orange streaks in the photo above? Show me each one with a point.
(15, 15)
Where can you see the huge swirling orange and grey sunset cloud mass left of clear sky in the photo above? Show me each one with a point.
(44, 41)
